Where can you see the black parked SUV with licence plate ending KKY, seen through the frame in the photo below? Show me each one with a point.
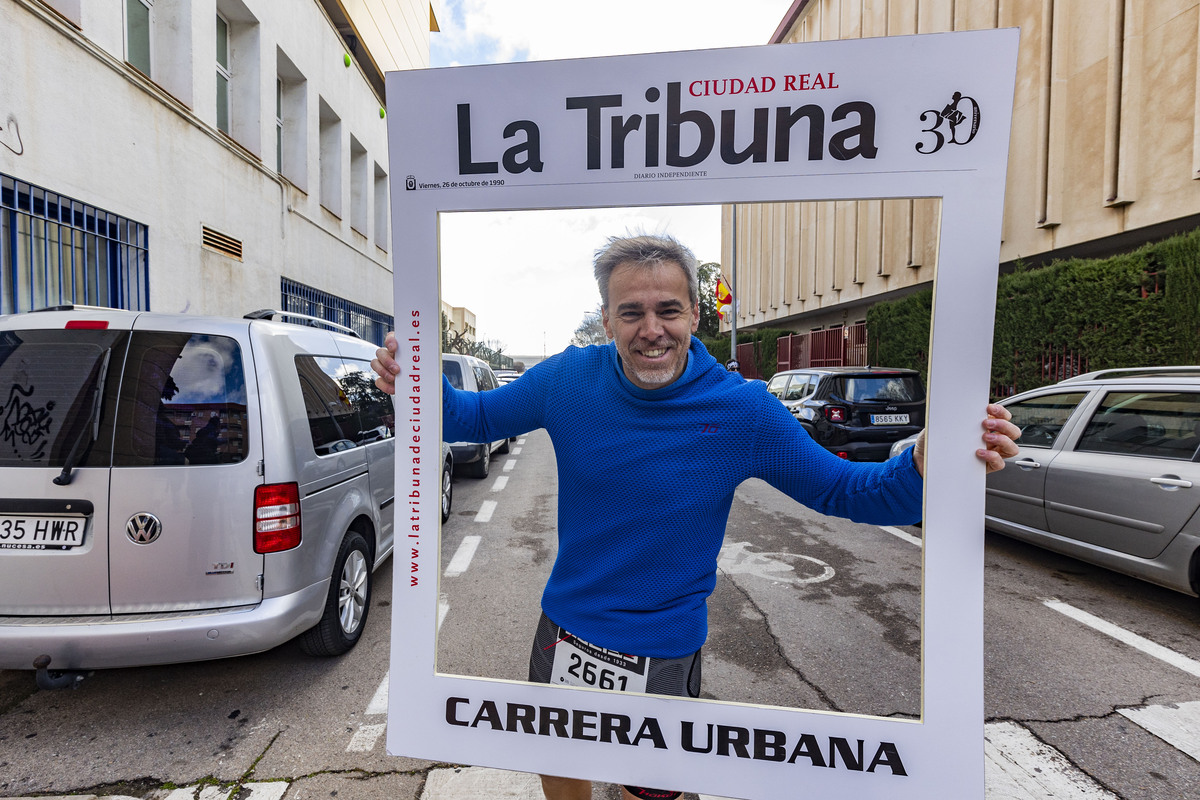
(856, 413)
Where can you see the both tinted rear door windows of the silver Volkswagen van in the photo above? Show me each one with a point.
(151, 399)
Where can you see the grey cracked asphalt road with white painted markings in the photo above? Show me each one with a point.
(1093, 679)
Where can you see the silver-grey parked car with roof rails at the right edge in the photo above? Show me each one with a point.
(1108, 473)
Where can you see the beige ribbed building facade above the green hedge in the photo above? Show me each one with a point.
(1105, 155)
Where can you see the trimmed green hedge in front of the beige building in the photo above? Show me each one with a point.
(1093, 309)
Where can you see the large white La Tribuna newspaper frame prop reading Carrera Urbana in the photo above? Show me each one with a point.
(905, 117)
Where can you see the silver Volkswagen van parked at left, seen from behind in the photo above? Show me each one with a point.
(178, 488)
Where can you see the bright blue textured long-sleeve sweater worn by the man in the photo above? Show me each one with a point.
(646, 480)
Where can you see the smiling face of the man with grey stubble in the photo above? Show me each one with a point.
(652, 321)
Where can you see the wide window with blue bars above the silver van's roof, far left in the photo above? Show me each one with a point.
(56, 250)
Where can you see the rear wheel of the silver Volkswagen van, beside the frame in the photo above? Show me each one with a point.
(347, 605)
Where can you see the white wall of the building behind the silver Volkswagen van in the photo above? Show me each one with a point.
(97, 130)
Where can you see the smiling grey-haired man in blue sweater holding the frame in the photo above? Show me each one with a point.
(652, 437)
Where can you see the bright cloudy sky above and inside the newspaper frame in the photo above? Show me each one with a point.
(527, 275)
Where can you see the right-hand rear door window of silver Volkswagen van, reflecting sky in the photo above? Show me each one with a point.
(183, 402)
